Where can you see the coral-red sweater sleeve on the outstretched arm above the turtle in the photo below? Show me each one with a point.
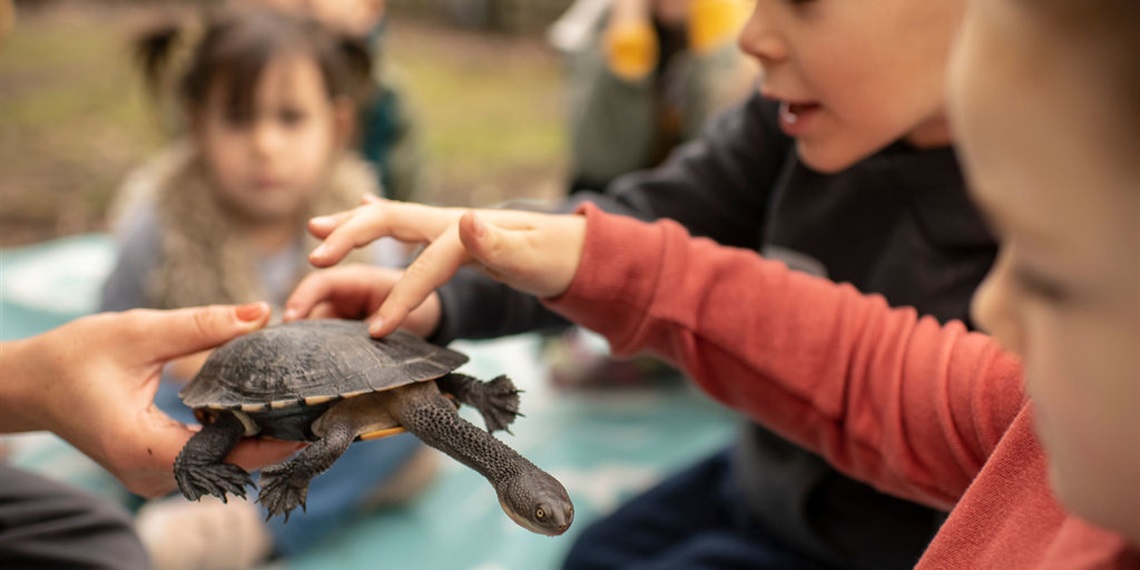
(909, 405)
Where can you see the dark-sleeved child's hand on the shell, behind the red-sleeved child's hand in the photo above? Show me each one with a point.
(356, 292)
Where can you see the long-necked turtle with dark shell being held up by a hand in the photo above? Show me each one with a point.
(328, 382)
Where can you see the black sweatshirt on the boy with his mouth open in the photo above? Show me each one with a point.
(899, 224)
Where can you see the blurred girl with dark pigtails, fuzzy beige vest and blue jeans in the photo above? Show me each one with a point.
(270, 102)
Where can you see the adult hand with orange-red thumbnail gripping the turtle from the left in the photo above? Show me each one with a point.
(93, 382)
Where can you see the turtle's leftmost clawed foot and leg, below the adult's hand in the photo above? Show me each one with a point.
(200, 469)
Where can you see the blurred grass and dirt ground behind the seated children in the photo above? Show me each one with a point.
(75, 119)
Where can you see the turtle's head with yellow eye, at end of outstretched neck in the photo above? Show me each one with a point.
(538, 502)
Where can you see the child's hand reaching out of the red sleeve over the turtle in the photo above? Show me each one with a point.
(533, 253)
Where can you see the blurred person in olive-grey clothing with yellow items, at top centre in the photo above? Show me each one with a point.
(645, 76)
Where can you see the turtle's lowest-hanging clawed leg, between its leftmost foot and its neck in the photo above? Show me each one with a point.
(286, 486)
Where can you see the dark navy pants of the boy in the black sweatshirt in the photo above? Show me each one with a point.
(695, 520)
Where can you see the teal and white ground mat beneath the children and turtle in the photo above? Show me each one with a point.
(605, 445)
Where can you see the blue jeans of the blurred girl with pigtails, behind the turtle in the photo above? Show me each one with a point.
(335, 495)
